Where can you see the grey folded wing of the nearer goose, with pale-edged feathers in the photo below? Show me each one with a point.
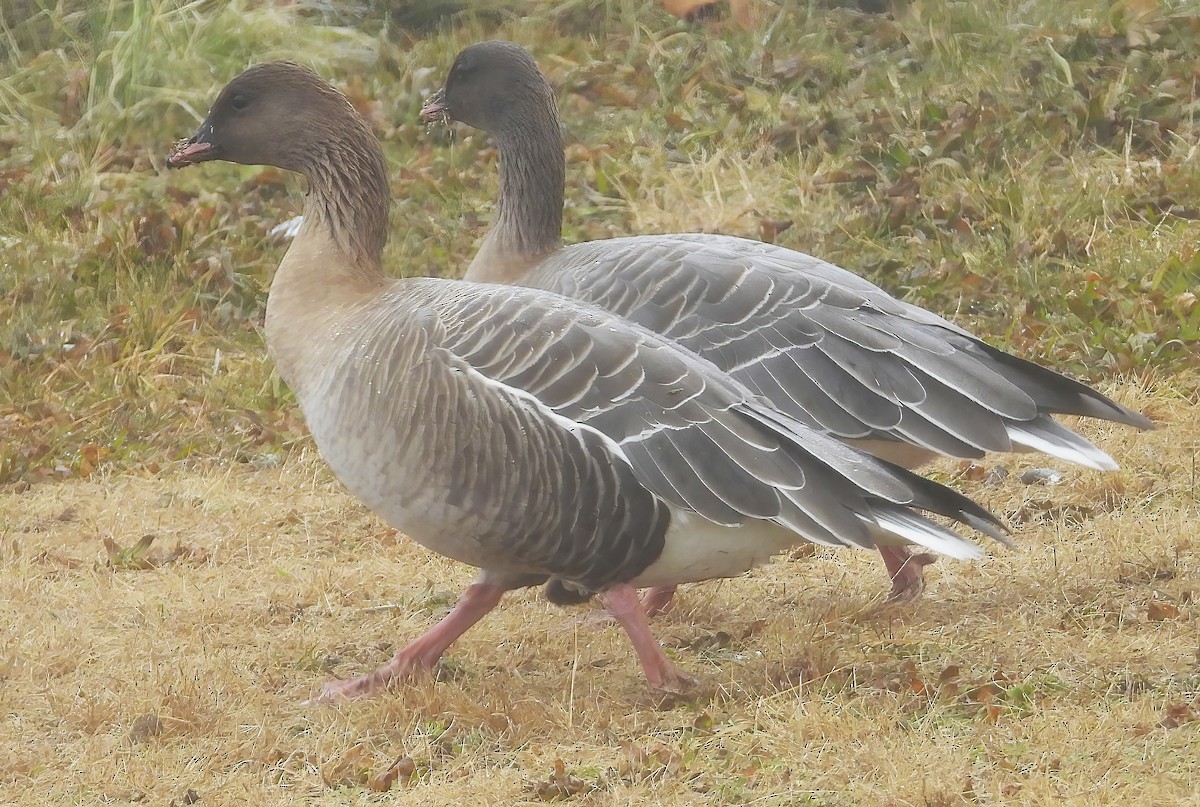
(692, 435)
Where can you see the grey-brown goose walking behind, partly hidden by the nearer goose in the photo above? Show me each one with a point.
(824, 345)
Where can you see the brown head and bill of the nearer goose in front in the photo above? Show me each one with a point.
(278, 113)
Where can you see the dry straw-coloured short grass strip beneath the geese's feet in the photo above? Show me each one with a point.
(1061, 673)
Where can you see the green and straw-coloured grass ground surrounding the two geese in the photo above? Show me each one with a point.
(1029, 170)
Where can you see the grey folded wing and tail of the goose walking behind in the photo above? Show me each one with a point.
(830, 349)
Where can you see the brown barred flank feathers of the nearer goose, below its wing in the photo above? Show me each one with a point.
(544, 498)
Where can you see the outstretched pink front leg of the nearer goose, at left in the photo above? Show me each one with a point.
(422, 654)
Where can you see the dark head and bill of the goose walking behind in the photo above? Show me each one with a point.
(494, 87)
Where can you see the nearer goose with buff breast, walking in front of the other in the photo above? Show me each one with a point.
(536, 438)
